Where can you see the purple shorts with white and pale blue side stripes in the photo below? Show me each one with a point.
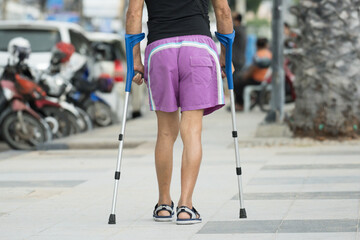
(184, 72)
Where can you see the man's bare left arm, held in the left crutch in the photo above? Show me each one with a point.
(133, 26)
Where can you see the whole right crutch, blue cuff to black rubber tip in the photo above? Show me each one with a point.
(227, 40)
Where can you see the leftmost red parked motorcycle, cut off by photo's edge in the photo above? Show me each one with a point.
(21, 127)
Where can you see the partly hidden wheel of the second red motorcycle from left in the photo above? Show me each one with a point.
(60, 117)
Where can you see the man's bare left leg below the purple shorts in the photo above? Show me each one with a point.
(168, 130)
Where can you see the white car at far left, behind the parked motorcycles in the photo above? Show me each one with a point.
(43, 35)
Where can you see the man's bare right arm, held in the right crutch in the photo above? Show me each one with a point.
(223, 22)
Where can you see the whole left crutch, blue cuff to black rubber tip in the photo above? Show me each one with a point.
(130, 41)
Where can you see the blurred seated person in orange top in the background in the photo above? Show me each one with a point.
(256, 72)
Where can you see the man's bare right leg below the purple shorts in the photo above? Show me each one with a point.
(190, 130)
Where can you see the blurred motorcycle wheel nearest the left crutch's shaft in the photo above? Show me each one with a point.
(100, 113)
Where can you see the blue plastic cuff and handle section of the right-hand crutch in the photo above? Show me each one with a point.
(227, 40)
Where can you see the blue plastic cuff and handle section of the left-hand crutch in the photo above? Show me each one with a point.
(130, 41)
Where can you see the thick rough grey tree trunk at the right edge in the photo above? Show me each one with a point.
(328, 75)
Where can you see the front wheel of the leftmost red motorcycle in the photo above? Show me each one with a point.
(14, 136)
